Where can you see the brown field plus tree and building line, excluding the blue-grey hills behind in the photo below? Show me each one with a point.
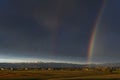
(98, 73)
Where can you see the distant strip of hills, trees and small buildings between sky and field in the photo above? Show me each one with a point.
(60, 66)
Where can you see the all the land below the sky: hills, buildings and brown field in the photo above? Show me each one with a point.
(53, 71)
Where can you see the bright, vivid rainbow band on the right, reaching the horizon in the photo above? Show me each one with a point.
(94, 32)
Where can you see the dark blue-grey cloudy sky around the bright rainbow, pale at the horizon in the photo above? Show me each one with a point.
(58, 30)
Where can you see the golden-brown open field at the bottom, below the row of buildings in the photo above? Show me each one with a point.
(58, 75)
